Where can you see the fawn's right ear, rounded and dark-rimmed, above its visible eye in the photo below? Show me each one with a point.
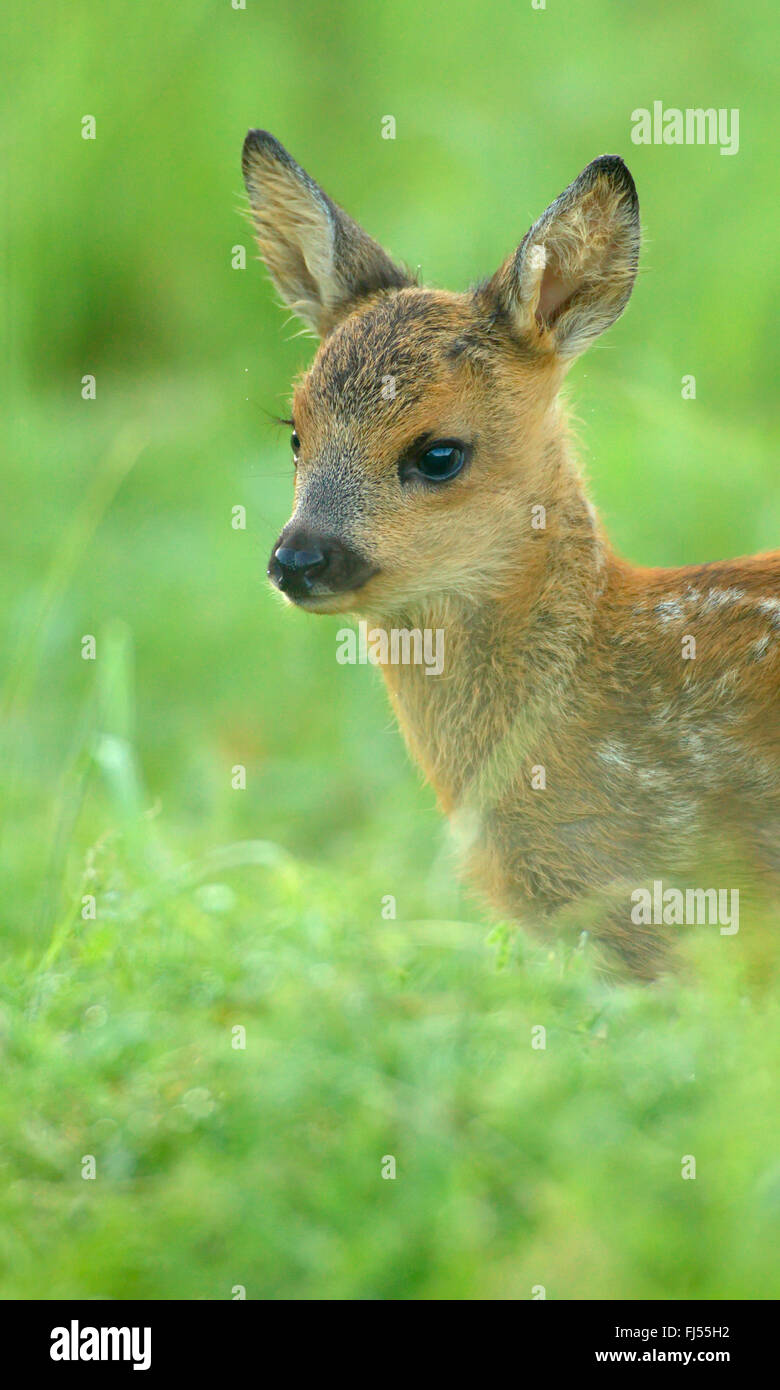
(574, 273)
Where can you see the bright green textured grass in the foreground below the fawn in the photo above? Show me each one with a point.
(220, 1166)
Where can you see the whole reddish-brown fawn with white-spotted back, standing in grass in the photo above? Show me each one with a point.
(596, 723)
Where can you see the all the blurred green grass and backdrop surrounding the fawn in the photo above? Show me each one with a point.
(262, 908)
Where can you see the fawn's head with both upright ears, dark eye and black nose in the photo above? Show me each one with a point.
(422, 430)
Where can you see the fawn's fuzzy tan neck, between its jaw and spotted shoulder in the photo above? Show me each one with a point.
(510, 658)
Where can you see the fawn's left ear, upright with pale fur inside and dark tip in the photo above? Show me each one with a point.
(319, 259)
